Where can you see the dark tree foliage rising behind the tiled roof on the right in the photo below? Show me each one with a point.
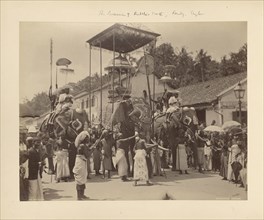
(191, 70)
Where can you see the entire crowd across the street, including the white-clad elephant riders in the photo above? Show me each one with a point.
(104, 151)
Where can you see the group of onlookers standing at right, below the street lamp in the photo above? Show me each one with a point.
(223, 152)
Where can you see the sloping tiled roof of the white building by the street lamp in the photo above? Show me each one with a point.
(207, 92)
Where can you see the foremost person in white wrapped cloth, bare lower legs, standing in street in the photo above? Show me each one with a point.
(80, 172)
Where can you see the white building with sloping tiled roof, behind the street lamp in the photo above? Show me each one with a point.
(215, 99)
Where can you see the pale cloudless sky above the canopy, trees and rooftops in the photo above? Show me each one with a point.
(69, 41)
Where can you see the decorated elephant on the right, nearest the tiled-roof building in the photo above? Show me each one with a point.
(176, 128)
